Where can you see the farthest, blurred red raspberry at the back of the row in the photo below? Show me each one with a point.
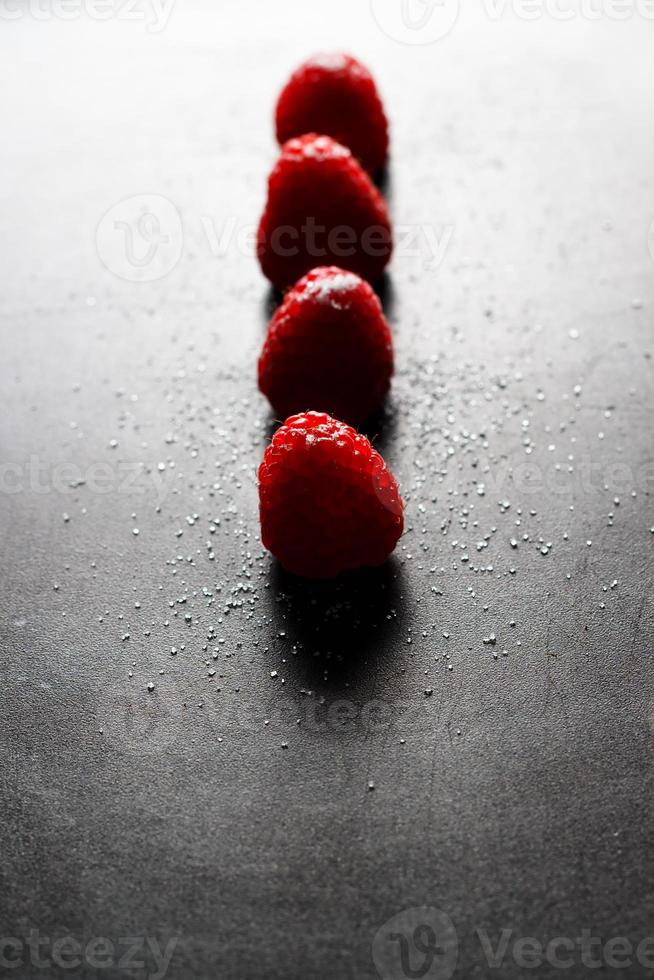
(336, 95)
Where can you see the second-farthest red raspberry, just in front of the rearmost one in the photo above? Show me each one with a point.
(322, 207)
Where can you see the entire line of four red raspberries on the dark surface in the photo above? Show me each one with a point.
(328, 502)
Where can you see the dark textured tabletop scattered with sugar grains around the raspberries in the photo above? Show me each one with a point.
(517, 795)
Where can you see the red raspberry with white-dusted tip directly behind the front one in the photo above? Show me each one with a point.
(329, 346)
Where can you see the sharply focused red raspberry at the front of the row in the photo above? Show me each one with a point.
(328, 503)
